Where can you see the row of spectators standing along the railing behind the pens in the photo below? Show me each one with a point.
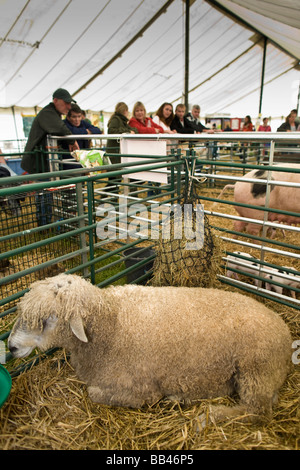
(166, 121)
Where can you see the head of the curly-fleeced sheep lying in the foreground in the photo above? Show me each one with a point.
(49, 313)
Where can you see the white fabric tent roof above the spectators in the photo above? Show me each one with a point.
(106, 51)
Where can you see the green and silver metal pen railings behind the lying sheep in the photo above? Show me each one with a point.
(69, 241)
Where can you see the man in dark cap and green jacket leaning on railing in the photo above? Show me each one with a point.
(47, 121)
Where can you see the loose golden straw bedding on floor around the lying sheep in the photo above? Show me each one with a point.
(49, 408)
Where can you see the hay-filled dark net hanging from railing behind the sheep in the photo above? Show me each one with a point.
(188, 252)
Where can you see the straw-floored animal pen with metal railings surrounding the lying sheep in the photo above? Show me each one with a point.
(69, 242)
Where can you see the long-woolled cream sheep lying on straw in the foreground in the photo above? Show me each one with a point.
(134, 345)
